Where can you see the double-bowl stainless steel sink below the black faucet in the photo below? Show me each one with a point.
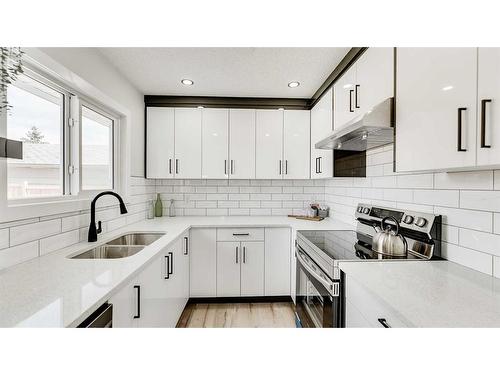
(120, 247)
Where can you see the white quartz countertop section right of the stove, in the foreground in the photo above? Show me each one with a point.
(432, 294)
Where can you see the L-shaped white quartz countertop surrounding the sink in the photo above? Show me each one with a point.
(55, 291)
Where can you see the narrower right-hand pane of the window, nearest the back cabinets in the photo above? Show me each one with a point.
(97, 150)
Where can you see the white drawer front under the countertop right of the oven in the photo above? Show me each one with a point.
(375, 312)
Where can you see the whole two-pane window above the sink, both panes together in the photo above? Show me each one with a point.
(61, 156)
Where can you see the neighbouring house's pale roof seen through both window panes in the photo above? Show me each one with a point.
(44, 153)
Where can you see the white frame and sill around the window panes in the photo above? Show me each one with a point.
(74, 199)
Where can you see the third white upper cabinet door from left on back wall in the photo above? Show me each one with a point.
(215, 143)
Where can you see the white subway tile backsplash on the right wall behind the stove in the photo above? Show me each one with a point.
(468, 201)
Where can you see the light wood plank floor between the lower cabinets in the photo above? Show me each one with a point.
(238, 315)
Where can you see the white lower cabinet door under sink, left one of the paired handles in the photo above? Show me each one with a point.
(154, 302)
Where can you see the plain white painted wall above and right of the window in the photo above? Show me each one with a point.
(89, 64)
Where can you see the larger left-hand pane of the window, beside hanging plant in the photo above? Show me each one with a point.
(36, 119)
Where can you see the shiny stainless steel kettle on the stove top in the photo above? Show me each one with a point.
(388, 242)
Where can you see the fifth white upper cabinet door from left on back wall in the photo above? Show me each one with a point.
(269, 144)
